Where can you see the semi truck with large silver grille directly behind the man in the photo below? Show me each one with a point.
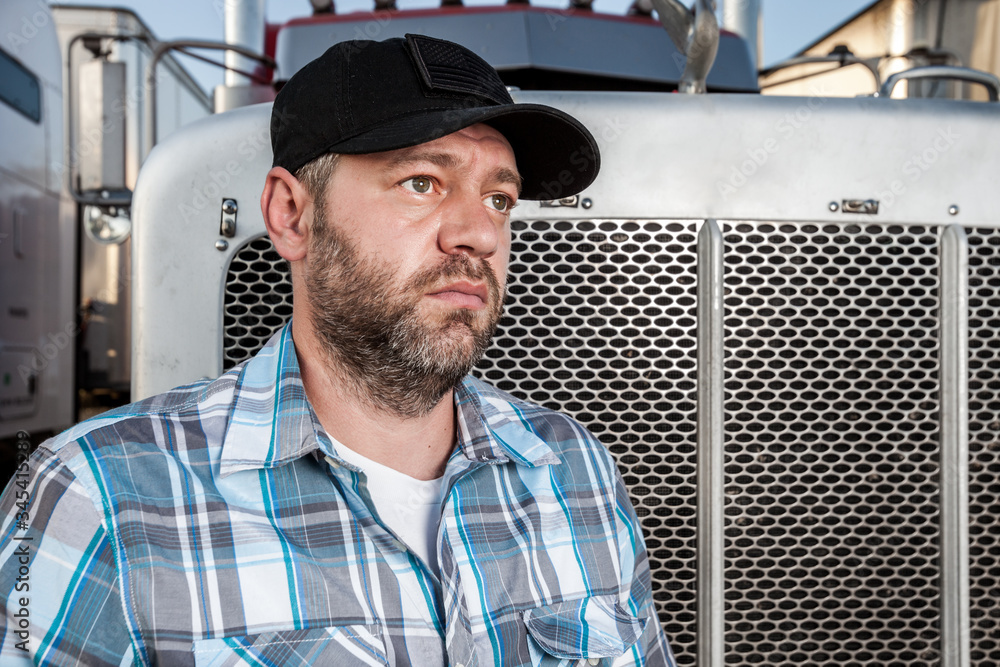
(780, 314)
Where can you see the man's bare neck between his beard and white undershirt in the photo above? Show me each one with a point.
(418, 446)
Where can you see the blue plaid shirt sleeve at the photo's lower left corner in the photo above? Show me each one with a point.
(58, 581)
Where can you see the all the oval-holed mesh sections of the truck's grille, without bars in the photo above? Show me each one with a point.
(831, 416)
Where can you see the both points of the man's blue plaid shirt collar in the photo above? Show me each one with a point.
(271, 421)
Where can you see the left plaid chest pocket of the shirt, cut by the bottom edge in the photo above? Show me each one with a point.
(344, 646)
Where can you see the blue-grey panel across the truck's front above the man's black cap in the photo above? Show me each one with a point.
(519, 37)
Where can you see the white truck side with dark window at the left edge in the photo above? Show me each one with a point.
(38, 326)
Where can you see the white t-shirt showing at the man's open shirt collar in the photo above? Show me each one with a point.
(409, 507)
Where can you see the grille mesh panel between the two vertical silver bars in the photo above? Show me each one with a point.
(831, 443)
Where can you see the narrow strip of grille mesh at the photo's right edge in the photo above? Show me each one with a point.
(984, 443)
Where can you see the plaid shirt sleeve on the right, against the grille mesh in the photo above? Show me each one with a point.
(652, 648)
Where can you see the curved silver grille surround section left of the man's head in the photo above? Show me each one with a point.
(233, 154)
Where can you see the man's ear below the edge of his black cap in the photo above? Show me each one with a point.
(284, 204)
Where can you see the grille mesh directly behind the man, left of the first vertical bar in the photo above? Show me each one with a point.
(600, 324)
